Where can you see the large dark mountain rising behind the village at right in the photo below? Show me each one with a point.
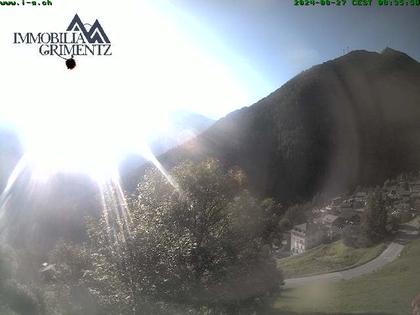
(353, 120)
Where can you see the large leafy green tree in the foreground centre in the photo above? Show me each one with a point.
(199, 245)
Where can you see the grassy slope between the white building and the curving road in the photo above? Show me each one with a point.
(327, 258)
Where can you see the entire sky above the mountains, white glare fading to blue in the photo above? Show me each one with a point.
(206, 56)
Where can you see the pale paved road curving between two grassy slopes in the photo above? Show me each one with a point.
(388, 255)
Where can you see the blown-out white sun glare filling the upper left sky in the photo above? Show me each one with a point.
(86, 120)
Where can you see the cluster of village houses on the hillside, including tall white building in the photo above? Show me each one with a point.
(327, 222)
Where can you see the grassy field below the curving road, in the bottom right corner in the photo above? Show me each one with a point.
(388, 291)
